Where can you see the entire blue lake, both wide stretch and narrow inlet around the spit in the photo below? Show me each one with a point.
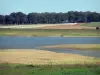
(12, 42)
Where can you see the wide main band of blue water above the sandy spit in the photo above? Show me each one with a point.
(8, 42)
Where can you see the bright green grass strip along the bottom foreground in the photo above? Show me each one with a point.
(11, 69)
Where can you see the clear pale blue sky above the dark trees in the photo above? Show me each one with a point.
(28, 6)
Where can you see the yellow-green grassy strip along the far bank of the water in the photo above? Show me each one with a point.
(48, 32)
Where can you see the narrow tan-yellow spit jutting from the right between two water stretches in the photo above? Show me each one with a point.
(76, 46)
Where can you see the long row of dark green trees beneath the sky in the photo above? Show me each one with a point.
(49, 18)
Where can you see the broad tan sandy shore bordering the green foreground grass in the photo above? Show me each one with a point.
(28, 56)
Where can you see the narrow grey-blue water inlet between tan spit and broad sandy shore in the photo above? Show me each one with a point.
(92, 53)
